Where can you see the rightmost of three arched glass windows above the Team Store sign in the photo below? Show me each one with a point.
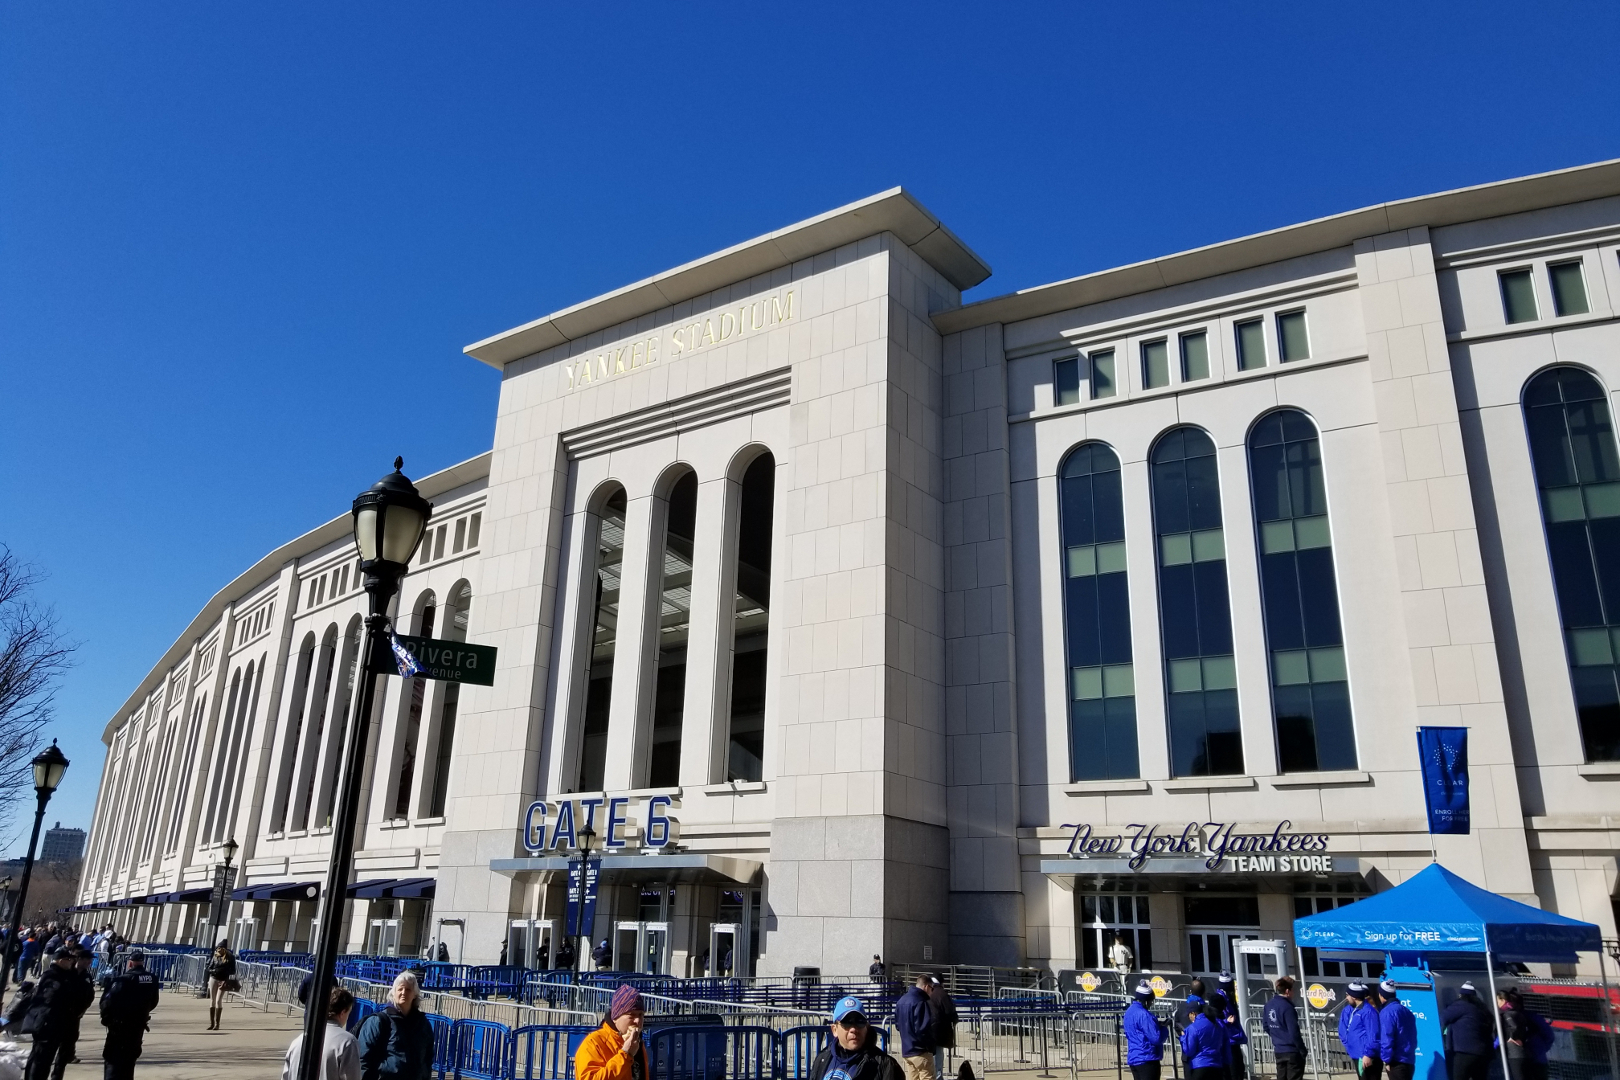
(1303, 637)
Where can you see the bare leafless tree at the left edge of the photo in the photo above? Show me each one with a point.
(33, 658)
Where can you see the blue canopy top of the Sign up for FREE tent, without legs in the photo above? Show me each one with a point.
(1439, 912)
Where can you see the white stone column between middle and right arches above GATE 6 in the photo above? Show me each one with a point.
(709, 644)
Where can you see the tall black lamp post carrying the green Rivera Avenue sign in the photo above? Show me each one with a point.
(390, 524)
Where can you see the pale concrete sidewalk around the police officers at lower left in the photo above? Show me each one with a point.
(250, 1045)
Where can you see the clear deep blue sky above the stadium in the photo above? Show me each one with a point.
(244, 244)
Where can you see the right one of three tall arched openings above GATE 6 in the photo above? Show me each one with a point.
(746, 733)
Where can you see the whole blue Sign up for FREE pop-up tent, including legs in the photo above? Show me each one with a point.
(1436, 912)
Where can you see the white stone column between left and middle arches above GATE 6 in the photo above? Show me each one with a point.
(637, 587)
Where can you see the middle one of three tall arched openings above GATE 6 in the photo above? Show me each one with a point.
(675, 624)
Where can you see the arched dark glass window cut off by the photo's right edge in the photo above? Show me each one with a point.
(1572, 441)
